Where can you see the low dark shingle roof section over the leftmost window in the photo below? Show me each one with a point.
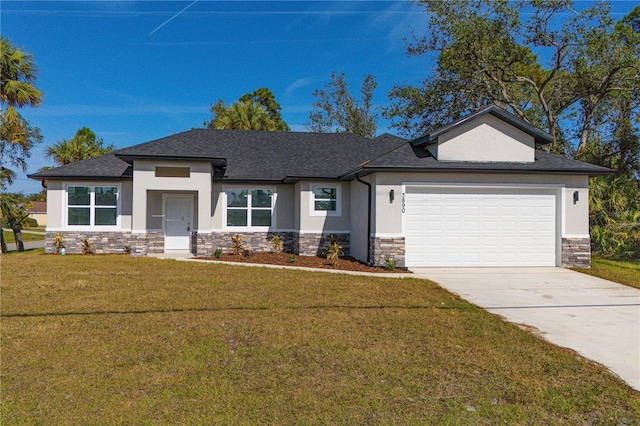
(106, 166)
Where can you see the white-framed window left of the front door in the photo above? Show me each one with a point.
(92, 205)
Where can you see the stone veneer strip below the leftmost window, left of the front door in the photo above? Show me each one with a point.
(108, 242)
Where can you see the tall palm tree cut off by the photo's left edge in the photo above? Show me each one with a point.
(18, 74)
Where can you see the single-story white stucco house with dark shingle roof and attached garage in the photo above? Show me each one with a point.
(474, 193)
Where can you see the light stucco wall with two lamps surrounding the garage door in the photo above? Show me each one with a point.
(574, 218)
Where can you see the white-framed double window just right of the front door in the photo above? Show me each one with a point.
(249, 207)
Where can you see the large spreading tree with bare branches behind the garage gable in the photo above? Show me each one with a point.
(488, 53)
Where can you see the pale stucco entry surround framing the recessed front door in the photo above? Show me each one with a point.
(144, 180)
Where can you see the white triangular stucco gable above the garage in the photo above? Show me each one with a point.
(487, 138)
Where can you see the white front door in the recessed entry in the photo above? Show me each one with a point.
(178, 222)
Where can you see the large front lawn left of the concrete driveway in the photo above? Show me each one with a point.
(123, 340)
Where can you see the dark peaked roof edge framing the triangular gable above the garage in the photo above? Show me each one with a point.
(541, 137)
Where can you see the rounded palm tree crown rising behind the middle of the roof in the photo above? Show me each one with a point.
(245, 115)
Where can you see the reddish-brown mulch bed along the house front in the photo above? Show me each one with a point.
(345, 263)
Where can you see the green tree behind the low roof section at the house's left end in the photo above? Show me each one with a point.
(82, 146)
